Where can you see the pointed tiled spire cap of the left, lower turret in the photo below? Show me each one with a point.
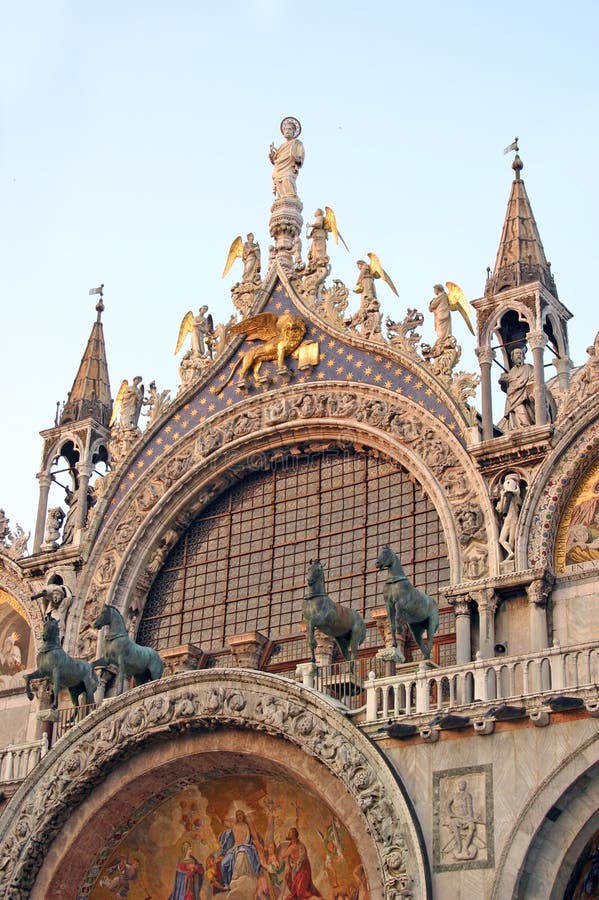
(90, 395)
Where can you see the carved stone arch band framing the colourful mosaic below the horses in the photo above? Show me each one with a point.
(195, 701)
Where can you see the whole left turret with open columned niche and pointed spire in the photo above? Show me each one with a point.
(79, 438)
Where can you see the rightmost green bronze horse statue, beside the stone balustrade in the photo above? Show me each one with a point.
(406, 604)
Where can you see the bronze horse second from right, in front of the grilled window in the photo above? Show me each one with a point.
(340, 622)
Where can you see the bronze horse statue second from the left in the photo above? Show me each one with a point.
(131, 659)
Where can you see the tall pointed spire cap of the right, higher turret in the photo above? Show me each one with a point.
(520, 258)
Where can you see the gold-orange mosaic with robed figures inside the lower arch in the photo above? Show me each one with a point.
(255, 837)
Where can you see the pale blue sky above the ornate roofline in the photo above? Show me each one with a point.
(134, 149)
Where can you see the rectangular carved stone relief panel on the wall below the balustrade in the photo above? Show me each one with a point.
(463, 824)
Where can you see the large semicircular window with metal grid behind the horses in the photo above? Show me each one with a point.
(241, 566)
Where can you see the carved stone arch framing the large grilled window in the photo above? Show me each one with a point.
(175, 490)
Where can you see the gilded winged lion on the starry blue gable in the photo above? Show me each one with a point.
(282, 335)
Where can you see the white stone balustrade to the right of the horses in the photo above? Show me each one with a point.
(418, 689)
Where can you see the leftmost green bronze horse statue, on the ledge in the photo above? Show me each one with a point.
(62, 670)
